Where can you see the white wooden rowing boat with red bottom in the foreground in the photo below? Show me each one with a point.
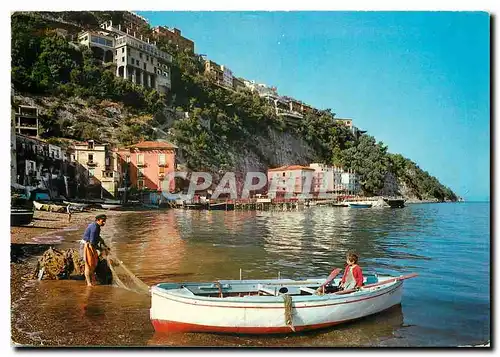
(267, 306)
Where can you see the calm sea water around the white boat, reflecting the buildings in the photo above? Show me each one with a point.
(447, 244)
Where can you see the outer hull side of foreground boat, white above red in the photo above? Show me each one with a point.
(266, 315)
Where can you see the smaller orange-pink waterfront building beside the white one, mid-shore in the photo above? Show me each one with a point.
(279, 179)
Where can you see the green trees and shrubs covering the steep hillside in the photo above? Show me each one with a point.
(220, 123)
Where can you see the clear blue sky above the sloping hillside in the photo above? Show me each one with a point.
(418, 81)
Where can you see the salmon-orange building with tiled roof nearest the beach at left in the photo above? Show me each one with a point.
(147, 164)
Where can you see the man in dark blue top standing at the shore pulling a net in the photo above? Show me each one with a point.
(89, 245)
